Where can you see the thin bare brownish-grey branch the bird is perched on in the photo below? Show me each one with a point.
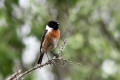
(19, 75)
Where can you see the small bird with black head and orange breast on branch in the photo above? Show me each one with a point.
(49, 39)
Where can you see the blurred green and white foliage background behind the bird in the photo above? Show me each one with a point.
(91, 28)
